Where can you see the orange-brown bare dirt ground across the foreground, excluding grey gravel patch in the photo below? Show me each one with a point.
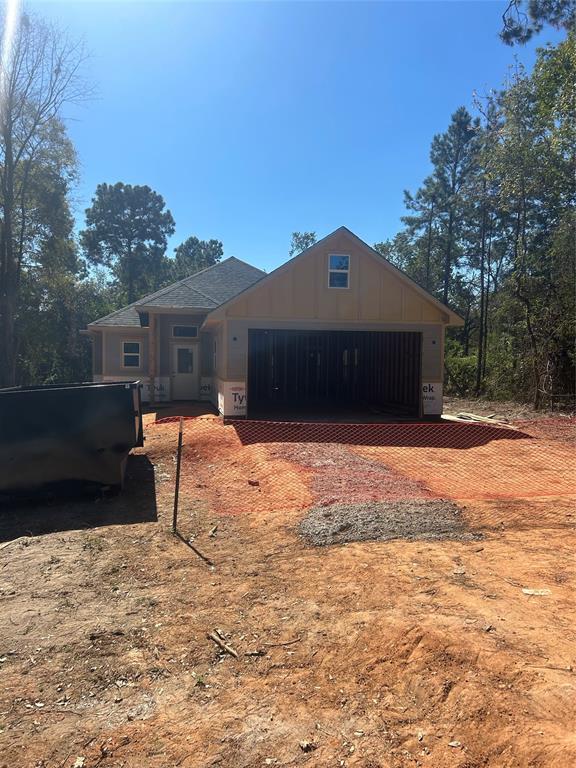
(369, 654)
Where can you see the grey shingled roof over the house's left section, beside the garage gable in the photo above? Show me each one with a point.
(203, 291)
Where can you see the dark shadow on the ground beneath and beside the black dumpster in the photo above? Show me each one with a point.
(48, 514)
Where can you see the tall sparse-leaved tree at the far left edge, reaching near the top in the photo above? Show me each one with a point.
(40, 73)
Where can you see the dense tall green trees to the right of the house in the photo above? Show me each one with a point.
(492, 232)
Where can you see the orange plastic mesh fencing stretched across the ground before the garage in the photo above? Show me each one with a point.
(348, 463)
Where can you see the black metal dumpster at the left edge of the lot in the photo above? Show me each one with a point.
(67, 434)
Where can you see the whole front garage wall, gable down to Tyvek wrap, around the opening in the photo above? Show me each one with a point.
(298, 297)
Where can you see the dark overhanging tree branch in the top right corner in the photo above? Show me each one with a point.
(521, 25)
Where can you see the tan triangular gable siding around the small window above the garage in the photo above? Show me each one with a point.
(300, 291)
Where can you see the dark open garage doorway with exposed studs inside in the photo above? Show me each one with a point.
(334, 372)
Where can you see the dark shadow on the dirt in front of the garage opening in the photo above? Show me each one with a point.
(406, 435)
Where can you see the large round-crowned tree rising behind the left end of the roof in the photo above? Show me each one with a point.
(126, 231)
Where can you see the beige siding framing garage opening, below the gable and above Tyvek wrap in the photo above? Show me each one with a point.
(237, 331)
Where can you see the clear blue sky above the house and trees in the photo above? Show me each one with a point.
(255, 119)
